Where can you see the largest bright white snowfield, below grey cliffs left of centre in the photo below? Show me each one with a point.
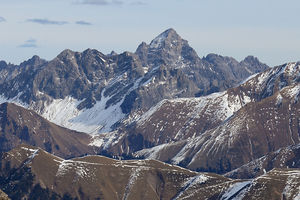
(97, 119)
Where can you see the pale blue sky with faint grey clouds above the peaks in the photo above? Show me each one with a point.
(269, 30)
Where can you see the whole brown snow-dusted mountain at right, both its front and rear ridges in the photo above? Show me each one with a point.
(222, 131)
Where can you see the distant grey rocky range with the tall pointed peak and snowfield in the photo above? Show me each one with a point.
(96, 93)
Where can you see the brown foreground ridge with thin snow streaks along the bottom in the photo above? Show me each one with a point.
(29, 172)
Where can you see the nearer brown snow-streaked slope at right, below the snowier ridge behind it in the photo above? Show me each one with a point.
(240, 139)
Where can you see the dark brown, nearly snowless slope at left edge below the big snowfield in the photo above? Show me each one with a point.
(22, 126)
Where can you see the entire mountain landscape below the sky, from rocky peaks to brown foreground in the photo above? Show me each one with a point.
(160, 123)
